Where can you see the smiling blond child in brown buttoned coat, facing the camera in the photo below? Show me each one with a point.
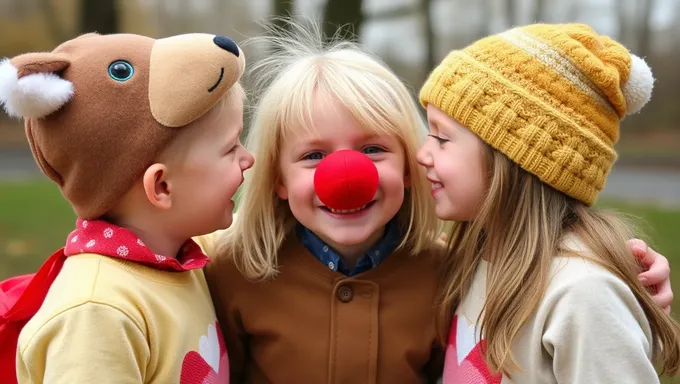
(308, 295)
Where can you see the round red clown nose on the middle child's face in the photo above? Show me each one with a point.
(346, 179)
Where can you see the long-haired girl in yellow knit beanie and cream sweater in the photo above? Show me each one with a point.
(542, 288)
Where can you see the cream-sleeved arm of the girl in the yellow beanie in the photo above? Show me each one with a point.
(596, 332)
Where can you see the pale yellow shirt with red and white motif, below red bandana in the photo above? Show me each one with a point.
(109, 320)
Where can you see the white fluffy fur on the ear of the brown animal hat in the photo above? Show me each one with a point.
(36, 95)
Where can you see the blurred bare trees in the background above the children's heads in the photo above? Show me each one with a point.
(410, 35)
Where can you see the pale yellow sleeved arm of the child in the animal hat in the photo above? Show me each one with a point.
(90, 343)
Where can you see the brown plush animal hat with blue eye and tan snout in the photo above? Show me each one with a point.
(100, 108)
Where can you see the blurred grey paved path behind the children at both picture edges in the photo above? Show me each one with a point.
(644, 185)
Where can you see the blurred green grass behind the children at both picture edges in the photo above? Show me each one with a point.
(35, 220)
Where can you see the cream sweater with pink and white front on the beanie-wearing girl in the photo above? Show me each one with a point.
(589, 328)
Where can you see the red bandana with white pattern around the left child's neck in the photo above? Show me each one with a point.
(103, 238)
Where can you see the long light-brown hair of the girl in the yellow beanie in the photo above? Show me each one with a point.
(519, 229)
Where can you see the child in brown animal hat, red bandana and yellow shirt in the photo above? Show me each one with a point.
(142, 137)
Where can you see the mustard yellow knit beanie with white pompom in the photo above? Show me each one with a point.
(550, 97)
